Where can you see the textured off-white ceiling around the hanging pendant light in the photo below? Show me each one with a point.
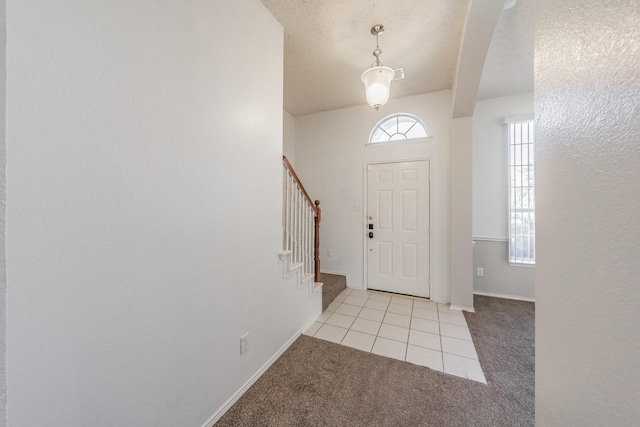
(328, 44)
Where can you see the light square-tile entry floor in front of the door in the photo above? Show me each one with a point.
(414, 330)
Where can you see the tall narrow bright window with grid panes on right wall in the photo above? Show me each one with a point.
(522, 237)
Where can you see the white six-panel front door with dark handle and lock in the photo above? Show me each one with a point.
(398, 227)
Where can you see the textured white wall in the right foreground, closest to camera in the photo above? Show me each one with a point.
(588, 186)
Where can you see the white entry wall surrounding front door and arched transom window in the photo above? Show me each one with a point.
(330, 159)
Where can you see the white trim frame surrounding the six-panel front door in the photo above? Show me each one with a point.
(365, 207)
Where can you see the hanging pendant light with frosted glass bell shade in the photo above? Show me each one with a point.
(377, 79)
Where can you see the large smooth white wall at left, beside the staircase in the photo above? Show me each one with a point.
(139, 137)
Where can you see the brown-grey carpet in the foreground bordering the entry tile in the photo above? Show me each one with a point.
(318, 383)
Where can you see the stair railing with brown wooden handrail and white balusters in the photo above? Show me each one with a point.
(301, 223)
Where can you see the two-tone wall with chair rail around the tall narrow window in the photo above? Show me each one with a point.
(490, 199)
